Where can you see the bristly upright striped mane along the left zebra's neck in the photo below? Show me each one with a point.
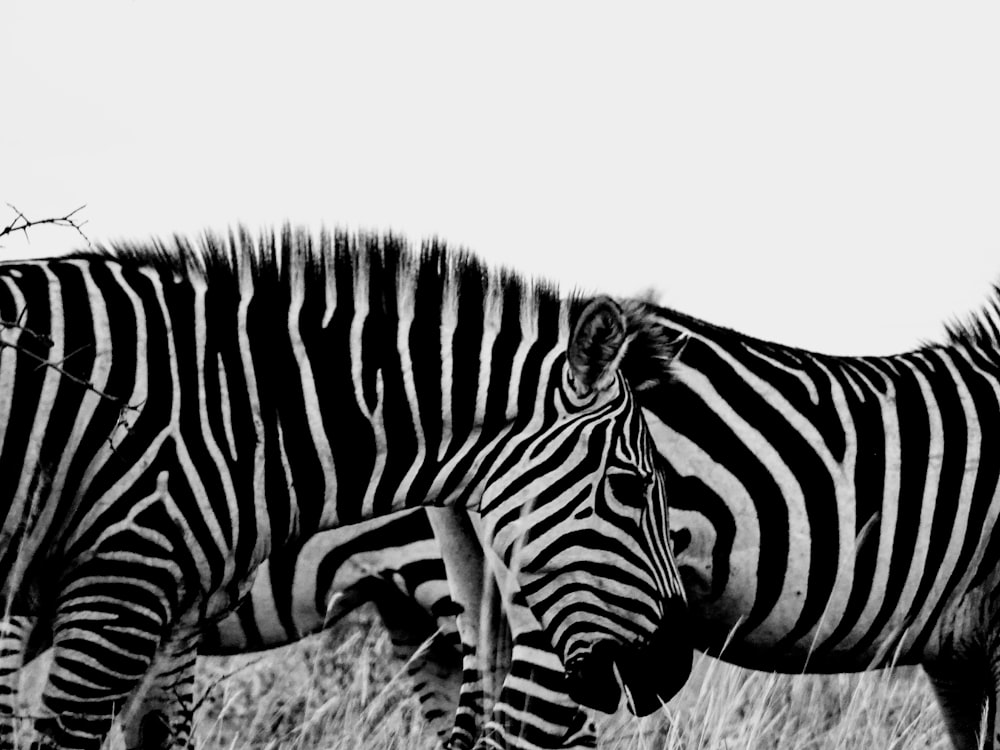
(296, 260)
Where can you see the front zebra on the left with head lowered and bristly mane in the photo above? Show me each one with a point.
(167, 407)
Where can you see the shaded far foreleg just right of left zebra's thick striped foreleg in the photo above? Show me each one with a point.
(159, 712)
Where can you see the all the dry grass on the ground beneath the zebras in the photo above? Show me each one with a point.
(341, 691)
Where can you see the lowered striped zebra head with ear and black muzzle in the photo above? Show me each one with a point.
(582, 524)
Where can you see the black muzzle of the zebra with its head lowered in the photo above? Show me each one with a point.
(650, 674)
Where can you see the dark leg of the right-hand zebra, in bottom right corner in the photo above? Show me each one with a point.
(965, 694)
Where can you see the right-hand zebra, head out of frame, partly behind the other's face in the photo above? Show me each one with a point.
(835, 514)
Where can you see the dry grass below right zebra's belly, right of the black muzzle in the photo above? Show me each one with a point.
(728, 708)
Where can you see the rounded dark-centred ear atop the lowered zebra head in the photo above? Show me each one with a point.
(596, 346)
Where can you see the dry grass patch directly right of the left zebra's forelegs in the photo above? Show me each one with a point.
(337, 691)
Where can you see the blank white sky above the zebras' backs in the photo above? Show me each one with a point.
(825, 177)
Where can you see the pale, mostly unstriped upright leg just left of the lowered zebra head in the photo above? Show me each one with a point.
(463, 558)
